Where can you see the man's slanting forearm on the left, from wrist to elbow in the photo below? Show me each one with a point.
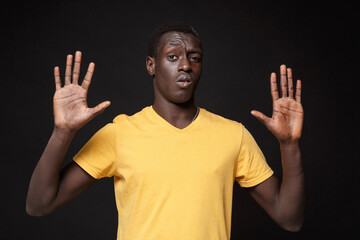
(45, 180)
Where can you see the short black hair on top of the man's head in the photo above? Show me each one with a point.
(155, 36)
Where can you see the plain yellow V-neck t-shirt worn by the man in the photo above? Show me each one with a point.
(174, 183)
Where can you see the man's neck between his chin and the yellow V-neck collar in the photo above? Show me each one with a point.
(178, 115)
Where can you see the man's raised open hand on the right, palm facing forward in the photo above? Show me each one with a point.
(287, 117)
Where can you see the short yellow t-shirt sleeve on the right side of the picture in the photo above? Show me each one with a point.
(252, 167)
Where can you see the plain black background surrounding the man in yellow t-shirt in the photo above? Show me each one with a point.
(244, 41)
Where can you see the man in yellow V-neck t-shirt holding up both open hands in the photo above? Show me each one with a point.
(174, 164)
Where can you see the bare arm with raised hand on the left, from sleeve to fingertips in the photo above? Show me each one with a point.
(50, 187)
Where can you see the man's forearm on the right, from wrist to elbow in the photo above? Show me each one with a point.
(291, 200)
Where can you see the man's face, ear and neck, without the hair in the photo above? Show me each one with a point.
(178, 54)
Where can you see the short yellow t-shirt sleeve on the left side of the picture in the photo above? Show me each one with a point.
(98, 155)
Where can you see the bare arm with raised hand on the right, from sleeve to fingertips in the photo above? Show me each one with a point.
(285, 201)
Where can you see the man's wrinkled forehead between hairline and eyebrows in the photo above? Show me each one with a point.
(177, 39)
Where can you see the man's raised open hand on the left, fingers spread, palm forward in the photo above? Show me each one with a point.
(70, 101)
